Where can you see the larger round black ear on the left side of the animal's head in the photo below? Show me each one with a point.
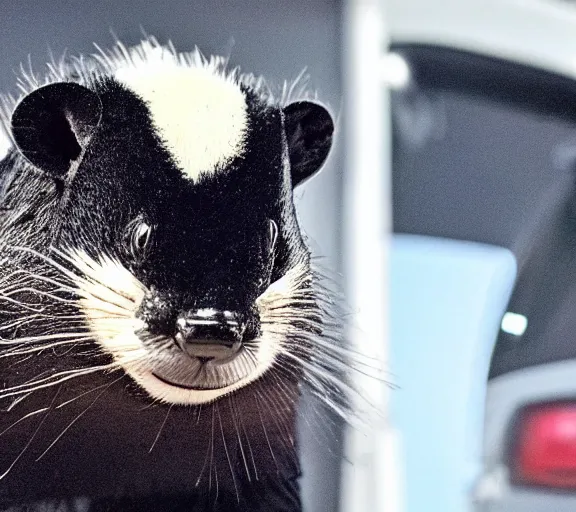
(53, 125)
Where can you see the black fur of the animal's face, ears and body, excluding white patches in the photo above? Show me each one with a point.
(89, 163)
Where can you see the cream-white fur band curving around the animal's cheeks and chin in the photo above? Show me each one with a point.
(109, 298)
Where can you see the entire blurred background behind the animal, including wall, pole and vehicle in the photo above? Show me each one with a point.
(447, 205)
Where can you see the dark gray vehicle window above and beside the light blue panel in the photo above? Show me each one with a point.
(484, 151)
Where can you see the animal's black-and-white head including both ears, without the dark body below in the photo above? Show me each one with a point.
(161, 189)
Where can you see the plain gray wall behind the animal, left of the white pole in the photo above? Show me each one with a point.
(272, 37)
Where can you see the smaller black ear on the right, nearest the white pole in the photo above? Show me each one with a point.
(309, 128)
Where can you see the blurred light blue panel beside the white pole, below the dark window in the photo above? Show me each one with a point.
(447, 301)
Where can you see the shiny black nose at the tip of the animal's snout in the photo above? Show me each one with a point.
(208, 333)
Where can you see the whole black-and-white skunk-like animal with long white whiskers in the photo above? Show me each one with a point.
(158, 306)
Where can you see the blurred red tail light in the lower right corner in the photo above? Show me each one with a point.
(544, 447)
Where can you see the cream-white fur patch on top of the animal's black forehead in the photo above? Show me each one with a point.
(199, 113)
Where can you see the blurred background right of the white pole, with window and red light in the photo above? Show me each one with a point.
(482, 301)
